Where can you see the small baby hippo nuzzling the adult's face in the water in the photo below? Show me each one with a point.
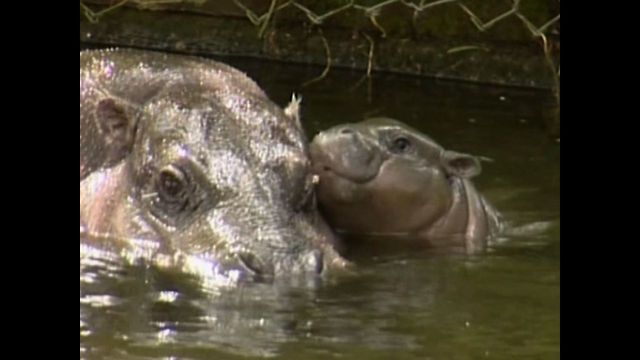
(381, 177)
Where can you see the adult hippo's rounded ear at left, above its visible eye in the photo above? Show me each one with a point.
(116, 122)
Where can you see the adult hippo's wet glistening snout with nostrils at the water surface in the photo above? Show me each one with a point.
(273, 244)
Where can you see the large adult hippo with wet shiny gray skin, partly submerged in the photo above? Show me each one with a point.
(189, 156)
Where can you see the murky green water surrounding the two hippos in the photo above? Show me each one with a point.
(402, 304)
